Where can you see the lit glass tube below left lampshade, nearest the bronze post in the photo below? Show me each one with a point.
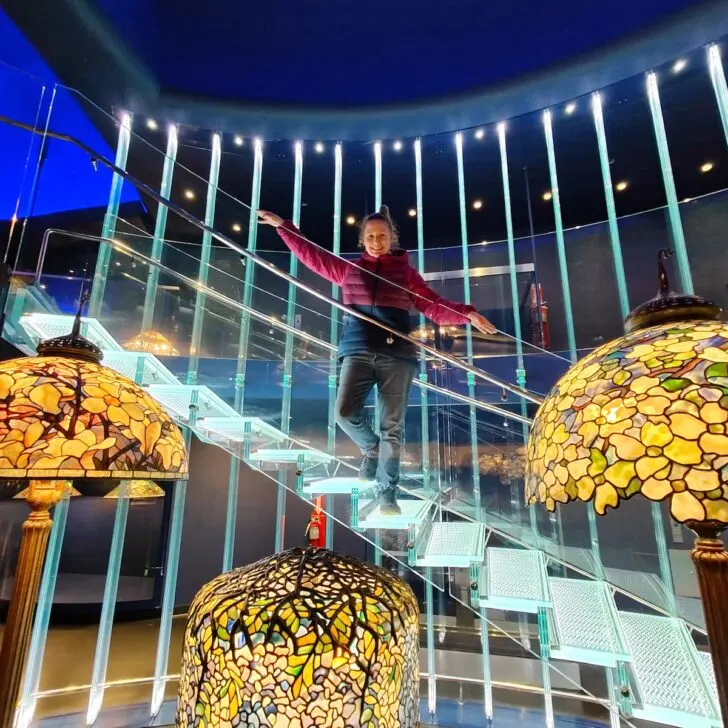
(34, 666)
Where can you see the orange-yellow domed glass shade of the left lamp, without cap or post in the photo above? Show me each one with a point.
(70, 418)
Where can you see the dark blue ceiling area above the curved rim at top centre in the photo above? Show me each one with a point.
(335, 52)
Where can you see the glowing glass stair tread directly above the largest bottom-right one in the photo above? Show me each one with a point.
(587, 627)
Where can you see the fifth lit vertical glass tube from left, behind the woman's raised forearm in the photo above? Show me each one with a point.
(288, 351)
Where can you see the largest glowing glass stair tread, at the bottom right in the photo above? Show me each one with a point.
(670, 689)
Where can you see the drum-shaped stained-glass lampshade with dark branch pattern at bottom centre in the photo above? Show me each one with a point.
(305, 638)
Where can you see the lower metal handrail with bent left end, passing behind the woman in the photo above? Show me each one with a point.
(254, 313)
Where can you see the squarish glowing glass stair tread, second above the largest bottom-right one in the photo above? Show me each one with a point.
(514, 579)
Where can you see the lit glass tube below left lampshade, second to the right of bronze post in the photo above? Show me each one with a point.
(108, 606)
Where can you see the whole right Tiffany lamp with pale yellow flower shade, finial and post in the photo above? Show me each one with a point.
(647, 414)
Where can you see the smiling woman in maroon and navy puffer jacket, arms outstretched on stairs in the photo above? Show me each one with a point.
(381, 284)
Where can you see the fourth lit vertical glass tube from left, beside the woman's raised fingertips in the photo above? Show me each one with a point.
(243, 345)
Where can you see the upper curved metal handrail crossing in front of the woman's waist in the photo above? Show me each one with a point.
(471, 370)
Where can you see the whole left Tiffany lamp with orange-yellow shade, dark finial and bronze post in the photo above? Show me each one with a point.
(64, 416)
